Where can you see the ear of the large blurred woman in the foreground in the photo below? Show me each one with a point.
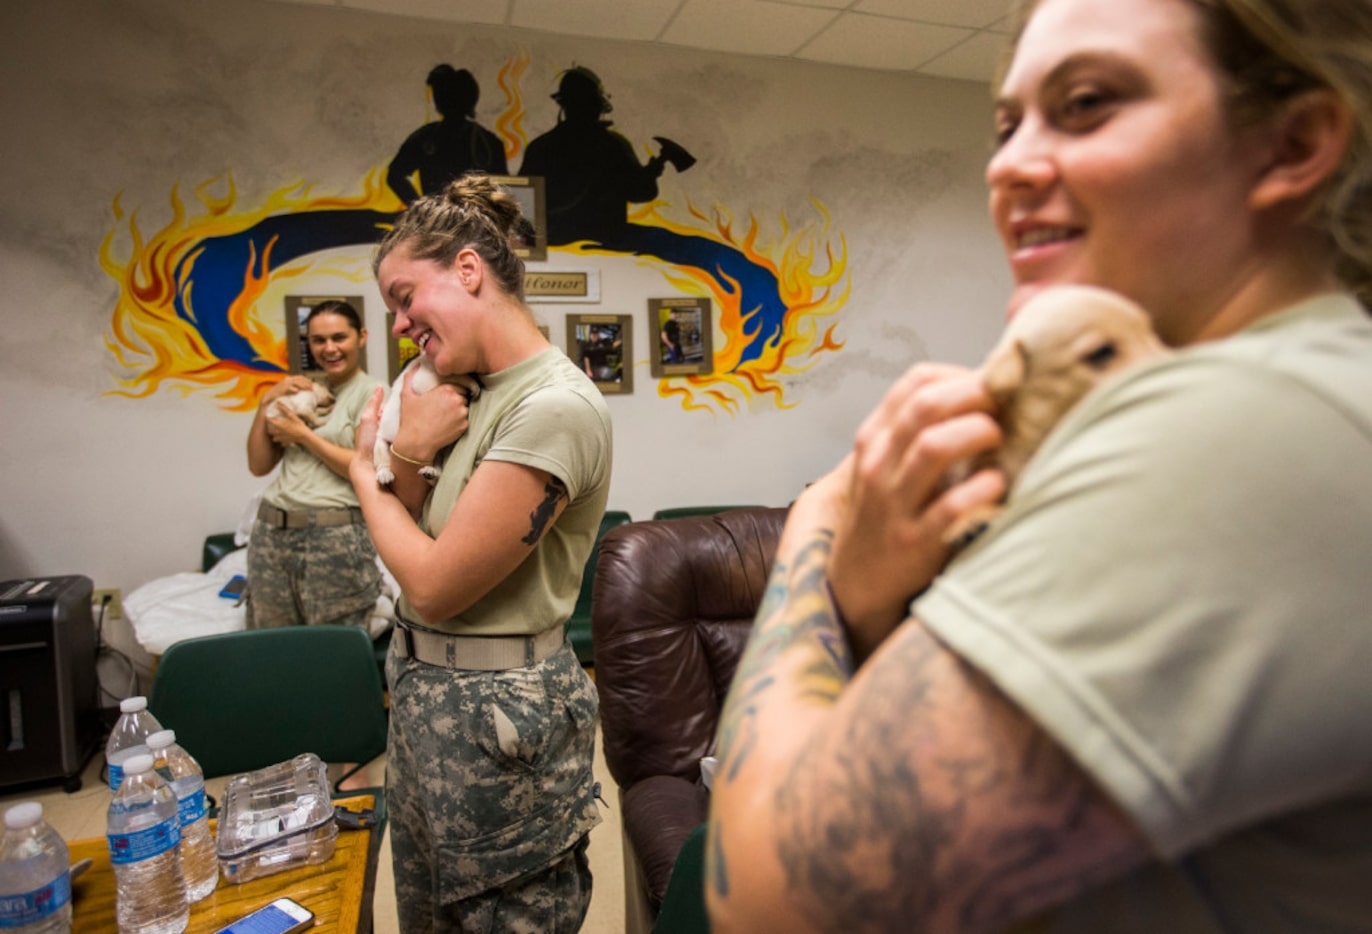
(1311, 139)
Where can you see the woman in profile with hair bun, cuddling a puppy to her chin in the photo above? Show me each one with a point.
(493, 719)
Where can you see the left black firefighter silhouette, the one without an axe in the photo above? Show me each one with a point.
(451, 147)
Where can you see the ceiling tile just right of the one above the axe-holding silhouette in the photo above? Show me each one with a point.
(748, 27)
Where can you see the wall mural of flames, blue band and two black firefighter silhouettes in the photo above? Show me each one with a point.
(189, 316)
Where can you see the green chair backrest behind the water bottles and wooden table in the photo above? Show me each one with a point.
(245, 700)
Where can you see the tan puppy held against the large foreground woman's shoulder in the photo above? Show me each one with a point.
(1065, 342)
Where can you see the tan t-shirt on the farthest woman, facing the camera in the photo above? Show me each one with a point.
(304, 481)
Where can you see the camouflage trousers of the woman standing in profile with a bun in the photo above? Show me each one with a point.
(490, 796)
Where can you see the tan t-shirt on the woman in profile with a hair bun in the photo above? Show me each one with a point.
(543, 414)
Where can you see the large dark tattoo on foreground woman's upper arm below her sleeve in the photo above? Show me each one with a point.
(897, 822)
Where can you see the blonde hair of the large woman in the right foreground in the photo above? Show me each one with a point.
(1268, 51)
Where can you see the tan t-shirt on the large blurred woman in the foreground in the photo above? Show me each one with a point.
(1179, 595)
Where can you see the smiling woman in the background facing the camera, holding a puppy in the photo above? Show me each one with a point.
(309, 556)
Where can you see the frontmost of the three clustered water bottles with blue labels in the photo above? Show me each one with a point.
(145, 835)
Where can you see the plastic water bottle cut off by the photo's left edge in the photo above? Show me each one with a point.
(35, 874)
